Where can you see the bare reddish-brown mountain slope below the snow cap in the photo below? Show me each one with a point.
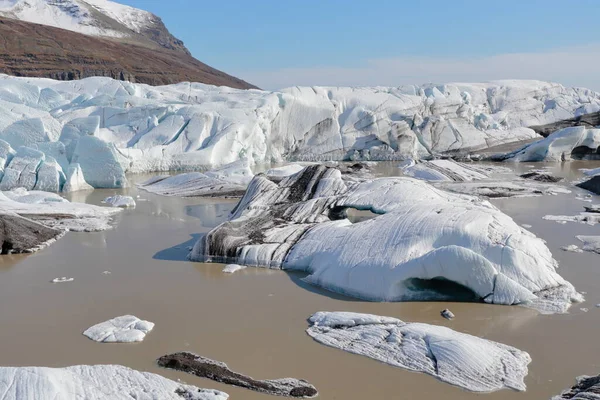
(33, 50)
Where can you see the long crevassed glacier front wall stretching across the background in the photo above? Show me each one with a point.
(47, 126)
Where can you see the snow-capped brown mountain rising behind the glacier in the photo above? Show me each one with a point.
(74, 39)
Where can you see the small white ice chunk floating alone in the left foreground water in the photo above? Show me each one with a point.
(124, 329)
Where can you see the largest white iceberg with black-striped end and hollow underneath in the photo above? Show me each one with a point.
(424, 244)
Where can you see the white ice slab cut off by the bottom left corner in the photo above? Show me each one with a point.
(95, 382)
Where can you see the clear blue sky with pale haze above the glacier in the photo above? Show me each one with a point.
(385, 42)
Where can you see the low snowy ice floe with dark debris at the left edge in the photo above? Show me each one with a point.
(56, 212)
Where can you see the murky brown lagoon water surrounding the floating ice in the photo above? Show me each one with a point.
(255, 319)
